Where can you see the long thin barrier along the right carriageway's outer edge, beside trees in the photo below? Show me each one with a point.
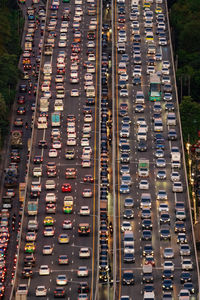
(182, 143)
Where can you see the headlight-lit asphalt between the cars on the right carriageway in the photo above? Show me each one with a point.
(136, 291)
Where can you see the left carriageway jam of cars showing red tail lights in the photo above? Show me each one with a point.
(58, 212)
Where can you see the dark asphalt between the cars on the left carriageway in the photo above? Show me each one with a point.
(72, 105)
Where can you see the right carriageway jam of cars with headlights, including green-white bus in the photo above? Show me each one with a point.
(156, 255)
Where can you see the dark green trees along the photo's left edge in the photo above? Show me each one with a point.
(10, 24)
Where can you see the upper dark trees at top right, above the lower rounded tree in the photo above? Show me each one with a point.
(185, 20)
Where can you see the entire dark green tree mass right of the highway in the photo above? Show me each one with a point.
(185, 22)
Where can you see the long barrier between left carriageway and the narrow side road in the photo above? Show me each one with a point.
(29, 160)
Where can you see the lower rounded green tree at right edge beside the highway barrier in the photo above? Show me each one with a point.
(190, 119)
